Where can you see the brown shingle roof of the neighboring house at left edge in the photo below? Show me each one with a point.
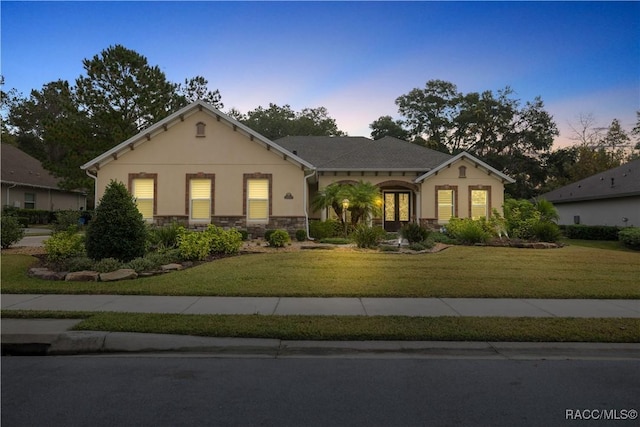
(20, 168)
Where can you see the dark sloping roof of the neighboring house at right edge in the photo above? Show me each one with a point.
(622, 181)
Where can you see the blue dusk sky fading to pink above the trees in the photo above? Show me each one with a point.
(354, 58)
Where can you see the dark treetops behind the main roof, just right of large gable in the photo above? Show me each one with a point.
(276, 122)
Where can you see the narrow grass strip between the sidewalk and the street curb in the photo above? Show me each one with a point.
(358, 327)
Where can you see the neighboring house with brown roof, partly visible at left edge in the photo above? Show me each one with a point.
(26, 184)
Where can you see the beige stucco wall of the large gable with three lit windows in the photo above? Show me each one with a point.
(226, 153)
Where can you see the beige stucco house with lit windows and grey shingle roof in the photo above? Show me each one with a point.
(201, 166)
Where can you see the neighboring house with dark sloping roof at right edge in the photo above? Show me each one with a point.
(607, 198)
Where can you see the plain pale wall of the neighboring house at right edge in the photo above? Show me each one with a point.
(602, 212)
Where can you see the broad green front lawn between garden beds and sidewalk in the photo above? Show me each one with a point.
(460, 271)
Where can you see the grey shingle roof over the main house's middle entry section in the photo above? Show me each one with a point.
(360, 153)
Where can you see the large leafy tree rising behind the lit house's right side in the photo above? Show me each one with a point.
(495, 127)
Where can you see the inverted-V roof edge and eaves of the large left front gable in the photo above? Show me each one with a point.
(148, 133)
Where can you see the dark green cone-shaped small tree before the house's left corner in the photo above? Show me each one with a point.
(118, 229)
